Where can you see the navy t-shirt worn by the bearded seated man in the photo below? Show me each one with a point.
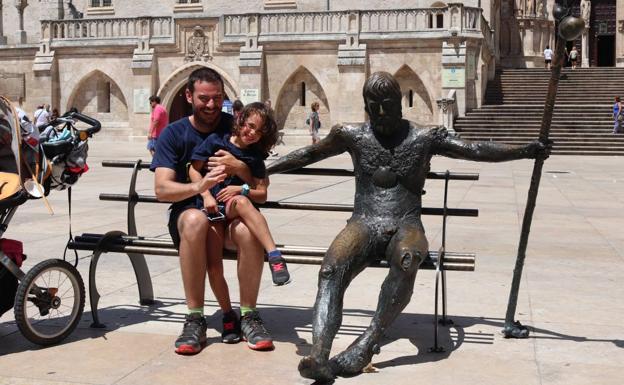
(175, 146)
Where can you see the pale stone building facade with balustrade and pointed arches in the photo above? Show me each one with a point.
(106, 57)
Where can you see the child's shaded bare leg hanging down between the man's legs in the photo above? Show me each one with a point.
(214, 266)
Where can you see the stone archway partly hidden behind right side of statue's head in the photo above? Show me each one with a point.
(415, 101)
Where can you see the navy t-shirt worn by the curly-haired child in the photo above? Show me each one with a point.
(252, 158)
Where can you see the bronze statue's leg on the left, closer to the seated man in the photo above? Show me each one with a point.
(345, 258)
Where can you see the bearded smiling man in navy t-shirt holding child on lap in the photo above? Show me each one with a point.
(193, 234)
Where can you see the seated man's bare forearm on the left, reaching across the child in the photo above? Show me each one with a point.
(167, 189)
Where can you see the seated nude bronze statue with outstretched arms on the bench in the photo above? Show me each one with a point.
(391, 159)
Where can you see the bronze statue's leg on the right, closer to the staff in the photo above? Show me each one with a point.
(406, 251)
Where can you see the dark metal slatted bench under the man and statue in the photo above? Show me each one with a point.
(136, 247)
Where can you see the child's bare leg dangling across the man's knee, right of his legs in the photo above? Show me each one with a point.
(240, 206)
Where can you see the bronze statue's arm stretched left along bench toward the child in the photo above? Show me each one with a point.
(332, 144)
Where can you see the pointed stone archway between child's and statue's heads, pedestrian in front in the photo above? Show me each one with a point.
(298, 93)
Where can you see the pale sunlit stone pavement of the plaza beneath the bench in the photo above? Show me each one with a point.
(570, 296)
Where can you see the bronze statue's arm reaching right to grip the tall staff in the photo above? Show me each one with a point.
(487, 151)
